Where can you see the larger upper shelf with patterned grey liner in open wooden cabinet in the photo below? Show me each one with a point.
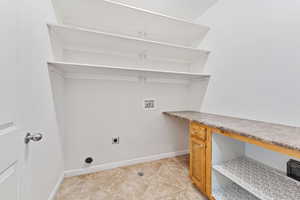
(260, 180)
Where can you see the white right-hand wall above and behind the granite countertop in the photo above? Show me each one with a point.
(255, 64)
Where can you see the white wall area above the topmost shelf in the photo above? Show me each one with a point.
(185, 9)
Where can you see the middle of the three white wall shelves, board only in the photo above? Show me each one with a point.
(95, 40)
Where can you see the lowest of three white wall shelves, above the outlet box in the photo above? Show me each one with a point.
(82, 71)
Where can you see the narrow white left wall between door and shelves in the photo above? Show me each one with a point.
(35, 105)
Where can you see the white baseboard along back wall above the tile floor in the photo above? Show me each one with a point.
(107, 166)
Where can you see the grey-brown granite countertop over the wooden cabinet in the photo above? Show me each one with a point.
(281, 135)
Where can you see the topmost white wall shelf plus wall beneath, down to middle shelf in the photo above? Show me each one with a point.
(108, 16)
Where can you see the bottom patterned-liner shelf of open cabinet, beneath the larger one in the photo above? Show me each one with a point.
(233, 192)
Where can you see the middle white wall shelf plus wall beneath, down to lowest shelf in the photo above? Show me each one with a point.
(88, 46)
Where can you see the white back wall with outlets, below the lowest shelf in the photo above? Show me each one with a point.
(97, 110)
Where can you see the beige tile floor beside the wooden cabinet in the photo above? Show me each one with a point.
(165, 179)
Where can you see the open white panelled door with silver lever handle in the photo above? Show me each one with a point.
(12, 144)
